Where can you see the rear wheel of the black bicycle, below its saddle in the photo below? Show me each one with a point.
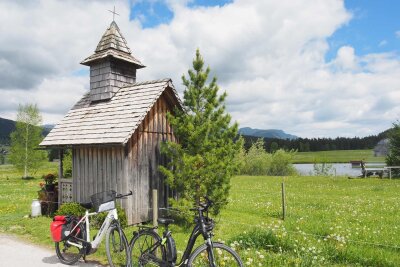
(142, 251)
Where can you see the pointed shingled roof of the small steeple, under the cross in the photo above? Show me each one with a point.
(113, 44)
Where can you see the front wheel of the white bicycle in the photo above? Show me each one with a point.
(117, 247)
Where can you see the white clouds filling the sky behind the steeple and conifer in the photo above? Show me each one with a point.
(268, 56)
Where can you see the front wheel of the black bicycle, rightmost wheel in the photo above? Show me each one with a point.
(223, 256)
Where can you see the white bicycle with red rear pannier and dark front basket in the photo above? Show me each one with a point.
(72, 234)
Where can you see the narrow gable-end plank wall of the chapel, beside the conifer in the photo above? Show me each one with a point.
(145, 157)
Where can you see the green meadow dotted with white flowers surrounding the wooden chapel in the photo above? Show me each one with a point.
(330, 221)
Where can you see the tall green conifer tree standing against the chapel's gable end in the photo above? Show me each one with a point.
(203, 160)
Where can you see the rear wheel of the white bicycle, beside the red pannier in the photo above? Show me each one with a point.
(68, 253)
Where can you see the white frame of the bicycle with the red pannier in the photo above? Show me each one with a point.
(111, 216)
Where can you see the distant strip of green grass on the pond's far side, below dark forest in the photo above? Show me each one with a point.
(337, 156)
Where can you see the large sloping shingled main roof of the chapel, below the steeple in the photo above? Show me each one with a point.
(109, 122)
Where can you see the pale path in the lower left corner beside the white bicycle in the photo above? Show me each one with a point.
(14, 252)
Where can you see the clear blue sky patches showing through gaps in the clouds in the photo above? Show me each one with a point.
(372, 28)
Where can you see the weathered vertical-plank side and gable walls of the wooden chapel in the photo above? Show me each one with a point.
(133, 167)
